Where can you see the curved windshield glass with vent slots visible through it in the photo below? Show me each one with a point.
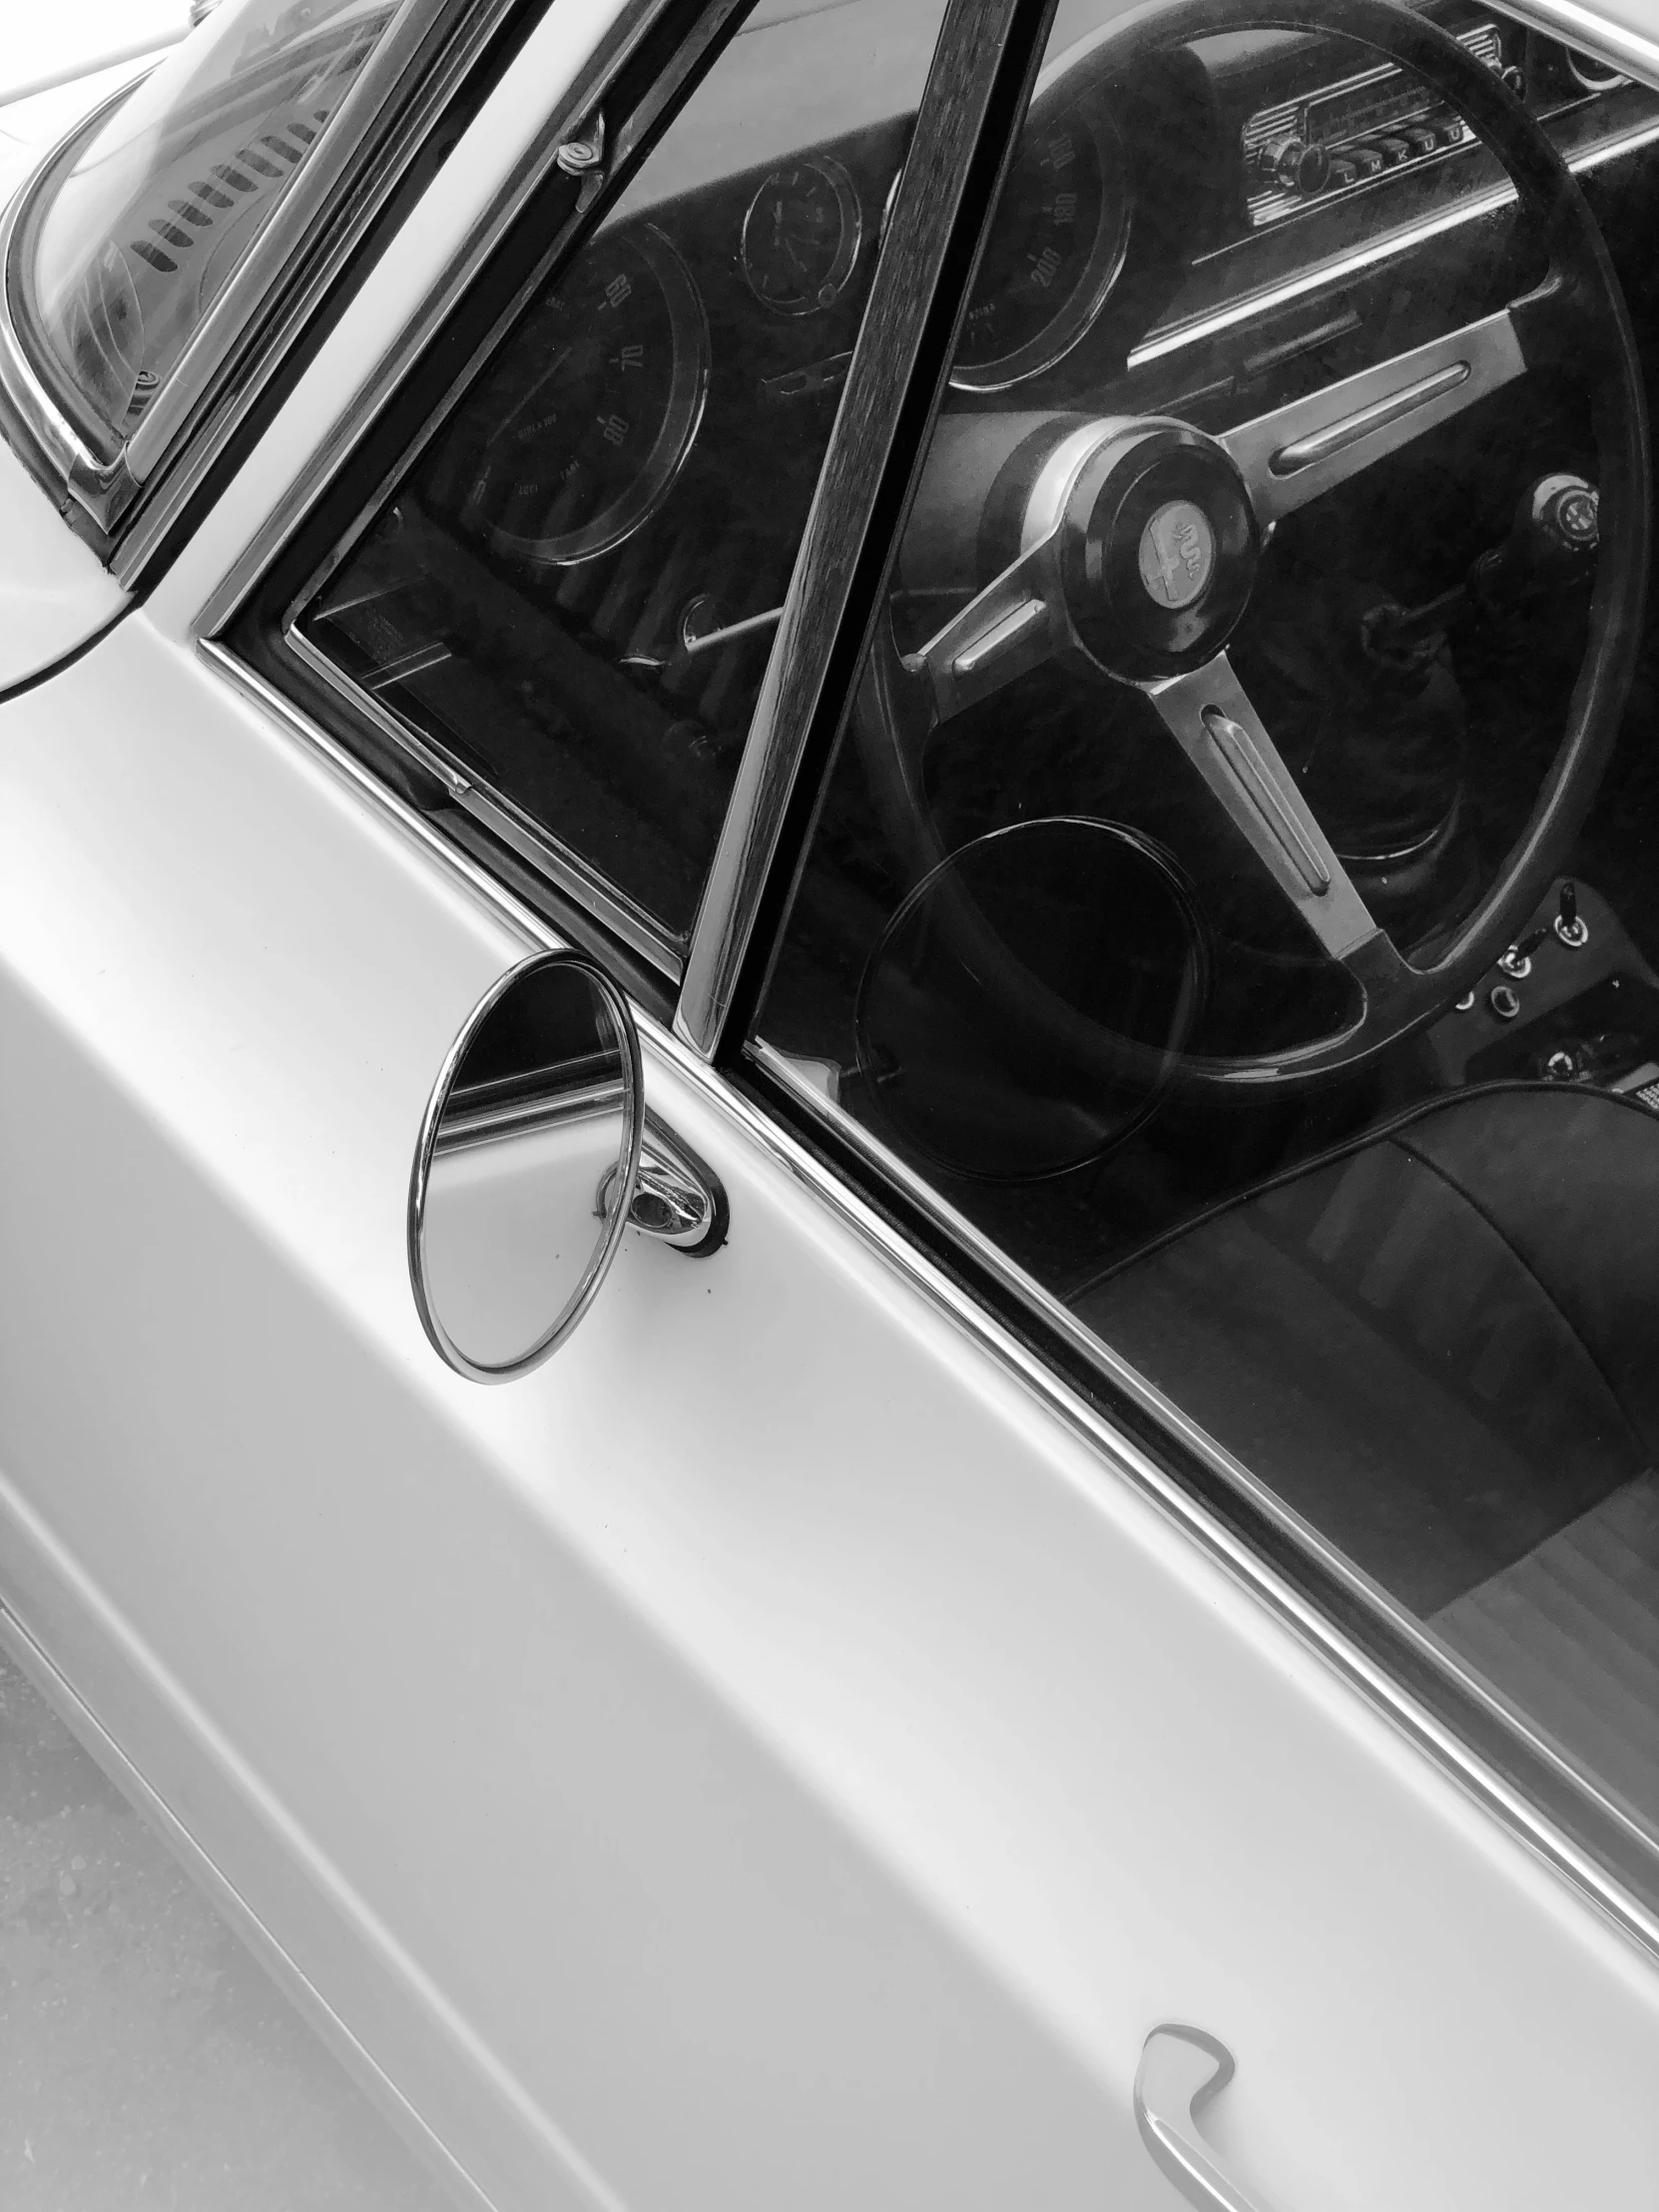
(143, 222)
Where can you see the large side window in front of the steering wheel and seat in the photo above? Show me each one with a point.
(1231, 904)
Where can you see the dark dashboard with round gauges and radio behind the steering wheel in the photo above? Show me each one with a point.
(718, 328)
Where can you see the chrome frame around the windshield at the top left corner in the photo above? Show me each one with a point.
(311, 236)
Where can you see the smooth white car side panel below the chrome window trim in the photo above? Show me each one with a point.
(868, 1782)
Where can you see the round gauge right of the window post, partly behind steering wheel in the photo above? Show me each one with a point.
(1056, 247)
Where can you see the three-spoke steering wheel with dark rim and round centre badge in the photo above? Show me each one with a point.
(1140, 543)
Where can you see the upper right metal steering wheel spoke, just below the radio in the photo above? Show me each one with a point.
(1315, 444)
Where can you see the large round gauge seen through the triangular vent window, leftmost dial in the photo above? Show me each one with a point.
(594, 406)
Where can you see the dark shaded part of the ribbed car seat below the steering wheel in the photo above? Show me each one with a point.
(1441, 1344)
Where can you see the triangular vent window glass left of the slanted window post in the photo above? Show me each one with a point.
(572, 592)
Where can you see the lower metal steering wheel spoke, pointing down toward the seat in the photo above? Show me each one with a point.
(1213, 722)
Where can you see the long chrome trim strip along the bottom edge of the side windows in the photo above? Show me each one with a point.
(1474, 1773)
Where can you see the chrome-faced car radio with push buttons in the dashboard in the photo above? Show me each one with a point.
(1348, 134)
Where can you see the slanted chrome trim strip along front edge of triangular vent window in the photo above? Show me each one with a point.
(353, 424)
